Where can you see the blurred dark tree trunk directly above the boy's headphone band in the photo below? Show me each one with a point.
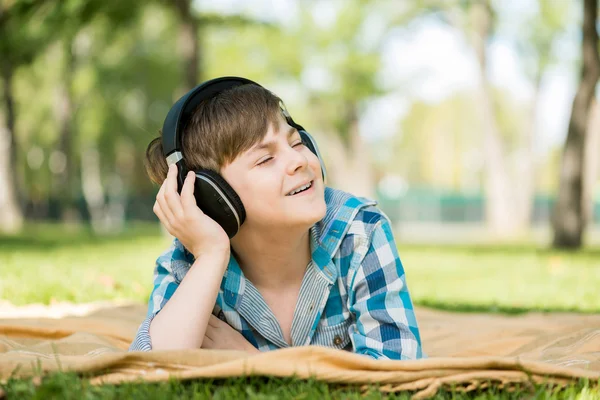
(189, 44)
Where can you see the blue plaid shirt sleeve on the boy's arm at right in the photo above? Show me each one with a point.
(385, 325)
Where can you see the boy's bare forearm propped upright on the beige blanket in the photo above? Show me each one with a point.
(182, 321)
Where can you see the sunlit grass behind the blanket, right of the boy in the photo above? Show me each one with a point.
(503, 278)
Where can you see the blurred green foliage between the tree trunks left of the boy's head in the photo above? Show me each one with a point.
(122, 84)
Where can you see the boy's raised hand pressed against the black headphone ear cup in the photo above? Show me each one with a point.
(199, 233)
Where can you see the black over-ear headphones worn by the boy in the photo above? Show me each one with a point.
(214, 196)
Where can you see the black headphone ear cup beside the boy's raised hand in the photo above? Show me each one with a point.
(217, 199)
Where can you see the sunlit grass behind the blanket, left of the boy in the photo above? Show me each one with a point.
(46, 264)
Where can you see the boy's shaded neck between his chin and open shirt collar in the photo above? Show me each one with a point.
(275, 259)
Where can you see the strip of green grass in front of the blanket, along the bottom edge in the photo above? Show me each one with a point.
(70, 386)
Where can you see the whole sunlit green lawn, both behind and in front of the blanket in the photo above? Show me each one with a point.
(49, 264)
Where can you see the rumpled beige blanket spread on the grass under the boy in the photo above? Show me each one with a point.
(465, 351)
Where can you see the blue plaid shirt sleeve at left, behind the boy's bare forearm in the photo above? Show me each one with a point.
(170, 268)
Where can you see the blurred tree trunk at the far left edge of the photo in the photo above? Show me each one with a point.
(11, 213)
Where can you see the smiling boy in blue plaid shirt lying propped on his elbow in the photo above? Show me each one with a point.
(309, 265)
